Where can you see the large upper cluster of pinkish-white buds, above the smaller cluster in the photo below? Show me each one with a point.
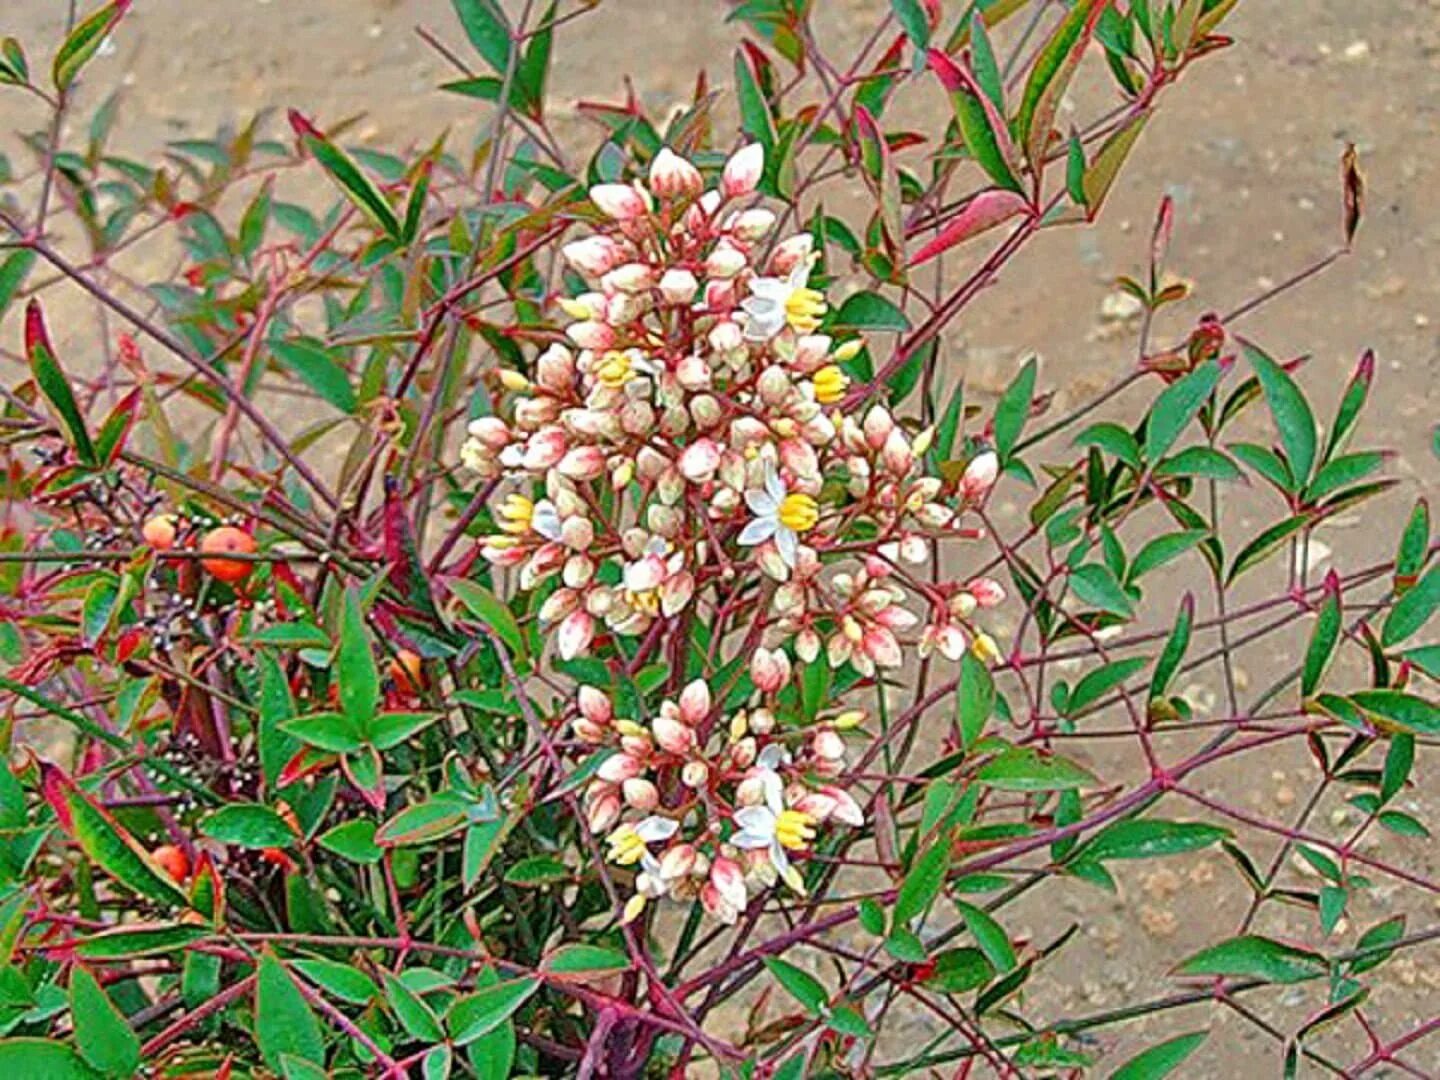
(695, 426)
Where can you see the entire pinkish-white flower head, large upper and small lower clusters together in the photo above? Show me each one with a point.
(695, 451)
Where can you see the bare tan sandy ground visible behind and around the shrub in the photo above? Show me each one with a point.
(1248, 146)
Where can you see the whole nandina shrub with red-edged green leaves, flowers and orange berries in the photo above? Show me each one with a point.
(521, 613)
